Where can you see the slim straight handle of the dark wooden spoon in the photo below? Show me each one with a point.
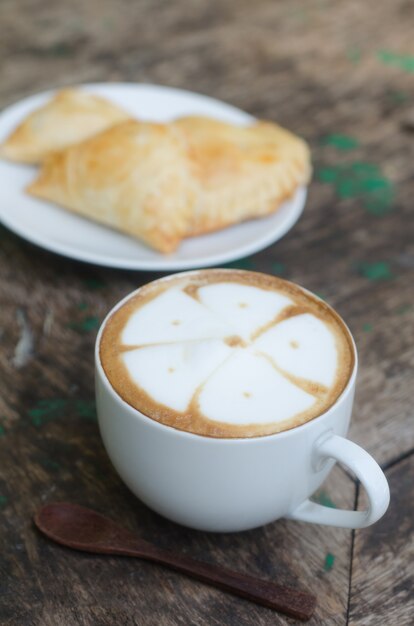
(292, 602)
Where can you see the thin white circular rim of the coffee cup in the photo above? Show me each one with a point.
(282, 434)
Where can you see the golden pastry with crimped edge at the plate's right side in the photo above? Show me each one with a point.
(242, 172)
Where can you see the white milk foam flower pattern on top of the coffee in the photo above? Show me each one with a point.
(245, 388)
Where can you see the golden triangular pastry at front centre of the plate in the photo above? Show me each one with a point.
(133, 177)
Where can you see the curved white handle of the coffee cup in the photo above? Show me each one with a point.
(366, 470)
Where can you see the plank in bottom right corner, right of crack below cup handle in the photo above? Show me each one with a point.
(382, 569)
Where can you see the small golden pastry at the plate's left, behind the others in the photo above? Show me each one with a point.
(69, 117)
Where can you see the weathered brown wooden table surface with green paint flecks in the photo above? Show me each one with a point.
(342, 76)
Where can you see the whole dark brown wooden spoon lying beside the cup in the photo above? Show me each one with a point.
(83, 529)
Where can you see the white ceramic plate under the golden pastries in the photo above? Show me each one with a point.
(55, 229)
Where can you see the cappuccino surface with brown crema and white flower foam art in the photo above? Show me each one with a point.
(227, 353)
